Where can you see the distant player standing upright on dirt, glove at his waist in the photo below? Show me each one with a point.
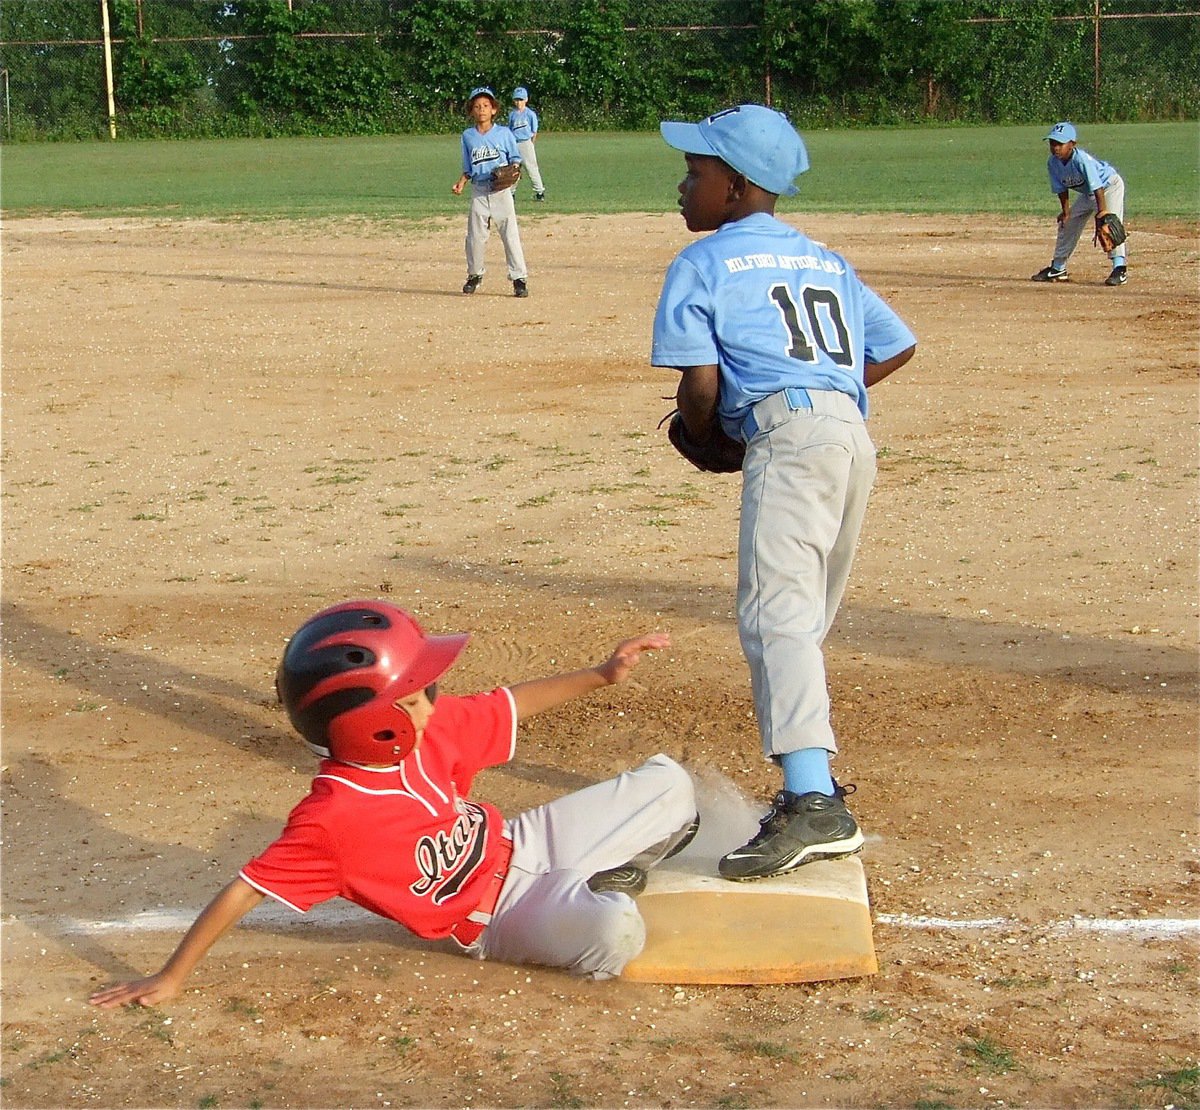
(485, 147)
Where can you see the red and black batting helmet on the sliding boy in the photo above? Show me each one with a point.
(345, 669)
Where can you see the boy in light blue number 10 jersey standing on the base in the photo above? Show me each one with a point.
(778, 339)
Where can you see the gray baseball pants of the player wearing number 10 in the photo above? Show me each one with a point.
(806, 484)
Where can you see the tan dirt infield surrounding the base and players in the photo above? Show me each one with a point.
(212, 430)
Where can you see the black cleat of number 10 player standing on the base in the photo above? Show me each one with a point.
(797, 830)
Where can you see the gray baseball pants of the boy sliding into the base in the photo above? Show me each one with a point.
(547, 914)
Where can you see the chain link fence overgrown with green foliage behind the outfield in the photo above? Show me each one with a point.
(247, 68)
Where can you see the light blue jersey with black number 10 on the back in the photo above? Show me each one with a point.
(772, 309)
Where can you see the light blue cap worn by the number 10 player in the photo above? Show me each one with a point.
(760, 143)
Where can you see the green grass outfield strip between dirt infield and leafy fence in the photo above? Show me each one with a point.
(947, 170)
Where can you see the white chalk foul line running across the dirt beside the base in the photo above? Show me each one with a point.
(277, 917)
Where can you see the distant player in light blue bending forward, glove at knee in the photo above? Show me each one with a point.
(1101, 190)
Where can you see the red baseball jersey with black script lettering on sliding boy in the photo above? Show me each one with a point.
(406, 842)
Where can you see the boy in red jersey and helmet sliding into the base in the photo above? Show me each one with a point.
(389, 824)
